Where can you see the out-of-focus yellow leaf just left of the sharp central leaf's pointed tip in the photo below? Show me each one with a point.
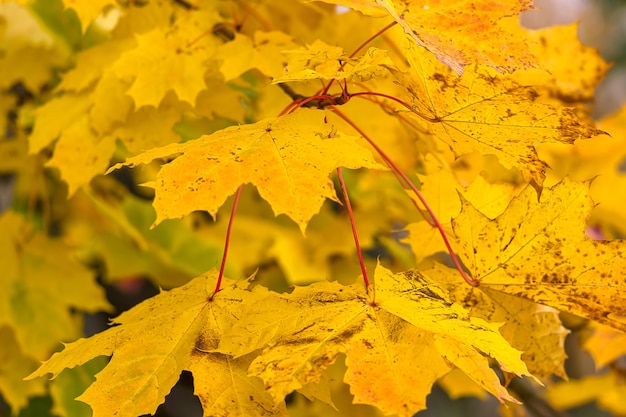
(88, 124)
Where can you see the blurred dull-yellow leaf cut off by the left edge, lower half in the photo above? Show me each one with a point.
(43, 283)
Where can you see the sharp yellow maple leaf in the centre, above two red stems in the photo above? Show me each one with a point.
(287, 158)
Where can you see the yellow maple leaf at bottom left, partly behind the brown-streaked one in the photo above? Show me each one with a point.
(155, 341)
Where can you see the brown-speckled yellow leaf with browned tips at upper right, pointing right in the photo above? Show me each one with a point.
(485, 112)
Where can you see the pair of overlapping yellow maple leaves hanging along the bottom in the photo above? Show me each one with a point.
(399, 340)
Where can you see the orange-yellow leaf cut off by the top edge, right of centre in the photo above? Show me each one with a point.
(464, 32)
